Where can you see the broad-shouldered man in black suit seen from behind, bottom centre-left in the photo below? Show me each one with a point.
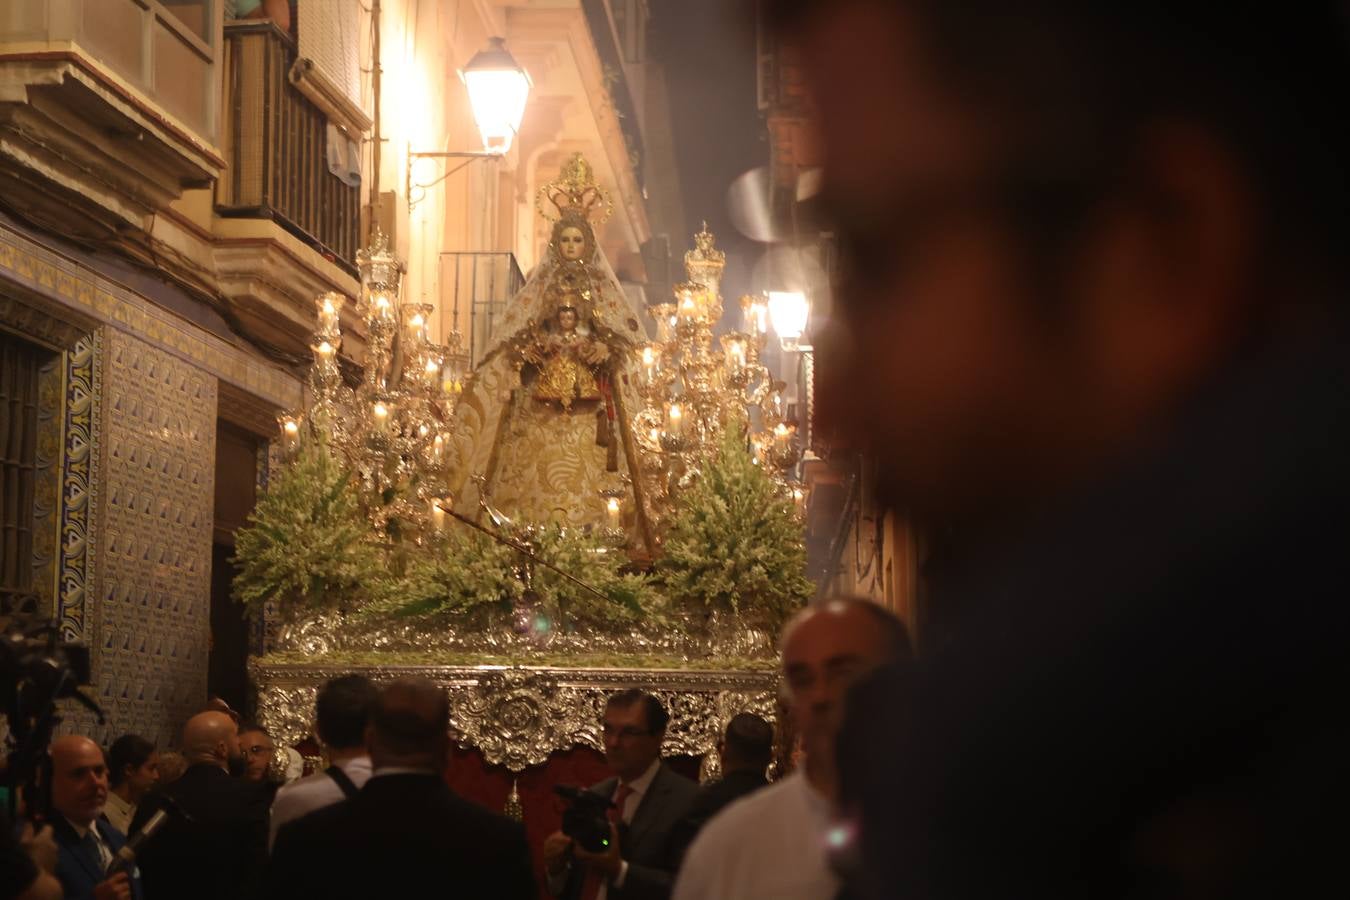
(406, 833)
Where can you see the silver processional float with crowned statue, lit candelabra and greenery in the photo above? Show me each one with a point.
(569, 454)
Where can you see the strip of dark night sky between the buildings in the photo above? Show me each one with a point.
(708, 49)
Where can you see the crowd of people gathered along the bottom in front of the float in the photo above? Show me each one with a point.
(381, 820)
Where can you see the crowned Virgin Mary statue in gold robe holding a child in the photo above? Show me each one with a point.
(545, 424)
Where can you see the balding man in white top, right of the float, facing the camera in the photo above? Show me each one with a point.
(774, 844)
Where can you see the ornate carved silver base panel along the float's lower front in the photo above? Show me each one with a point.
(518, 717)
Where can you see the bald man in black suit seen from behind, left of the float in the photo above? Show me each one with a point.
(218, 853)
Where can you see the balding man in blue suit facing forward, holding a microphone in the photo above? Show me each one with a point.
(87, 843)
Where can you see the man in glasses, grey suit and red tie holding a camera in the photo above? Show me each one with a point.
(649, 801)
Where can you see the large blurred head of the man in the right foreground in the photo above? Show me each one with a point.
(1059, 221)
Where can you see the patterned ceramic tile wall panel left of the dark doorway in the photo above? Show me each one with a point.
(152, 623)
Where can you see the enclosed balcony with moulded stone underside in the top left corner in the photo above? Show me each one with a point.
(107, 113)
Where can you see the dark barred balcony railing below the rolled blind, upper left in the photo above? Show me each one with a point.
(276, 142)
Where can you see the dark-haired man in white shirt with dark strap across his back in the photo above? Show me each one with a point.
(342, 712)
